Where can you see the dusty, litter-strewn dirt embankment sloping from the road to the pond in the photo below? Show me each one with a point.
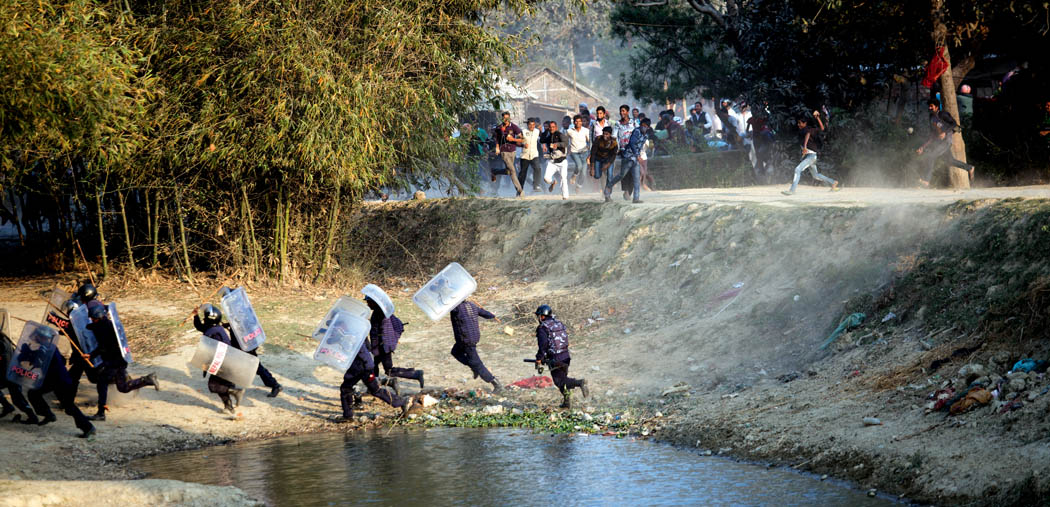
(728, 301)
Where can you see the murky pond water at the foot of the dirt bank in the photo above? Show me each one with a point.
(451, 467)
